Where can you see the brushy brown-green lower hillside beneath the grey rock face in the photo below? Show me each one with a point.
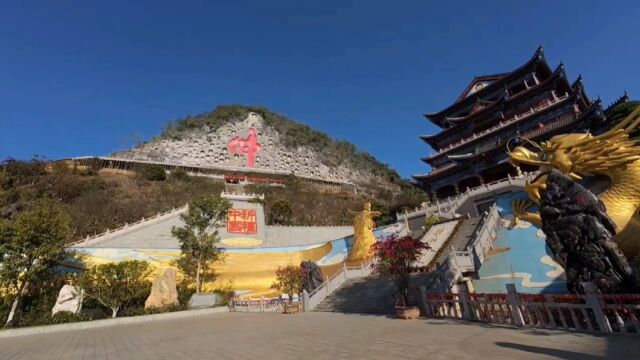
(101, 200)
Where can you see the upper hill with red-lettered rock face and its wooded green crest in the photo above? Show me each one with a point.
(254, 138)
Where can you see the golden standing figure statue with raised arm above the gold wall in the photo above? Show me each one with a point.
(363, 237)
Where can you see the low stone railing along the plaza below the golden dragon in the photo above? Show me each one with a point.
(589, 312)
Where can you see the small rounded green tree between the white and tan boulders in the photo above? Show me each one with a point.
(115, 285)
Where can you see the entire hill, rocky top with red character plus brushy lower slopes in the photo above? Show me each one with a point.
(99, 199)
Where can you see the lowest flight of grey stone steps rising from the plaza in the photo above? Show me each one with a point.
(364, 296)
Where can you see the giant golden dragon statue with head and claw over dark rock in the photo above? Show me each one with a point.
(612, 154)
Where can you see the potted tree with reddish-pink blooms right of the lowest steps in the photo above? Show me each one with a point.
(395, 258)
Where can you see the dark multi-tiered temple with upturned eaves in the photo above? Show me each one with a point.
(532, 102)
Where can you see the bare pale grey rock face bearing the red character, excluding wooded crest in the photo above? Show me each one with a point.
(247, 143)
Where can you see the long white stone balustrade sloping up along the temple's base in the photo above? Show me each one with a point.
(451, 204)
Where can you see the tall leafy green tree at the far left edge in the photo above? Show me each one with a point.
(31, 246)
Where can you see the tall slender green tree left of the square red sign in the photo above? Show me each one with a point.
(199, 236)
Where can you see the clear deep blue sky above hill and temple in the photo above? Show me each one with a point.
(80, 77)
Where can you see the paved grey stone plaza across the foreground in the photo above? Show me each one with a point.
(314, 336)
